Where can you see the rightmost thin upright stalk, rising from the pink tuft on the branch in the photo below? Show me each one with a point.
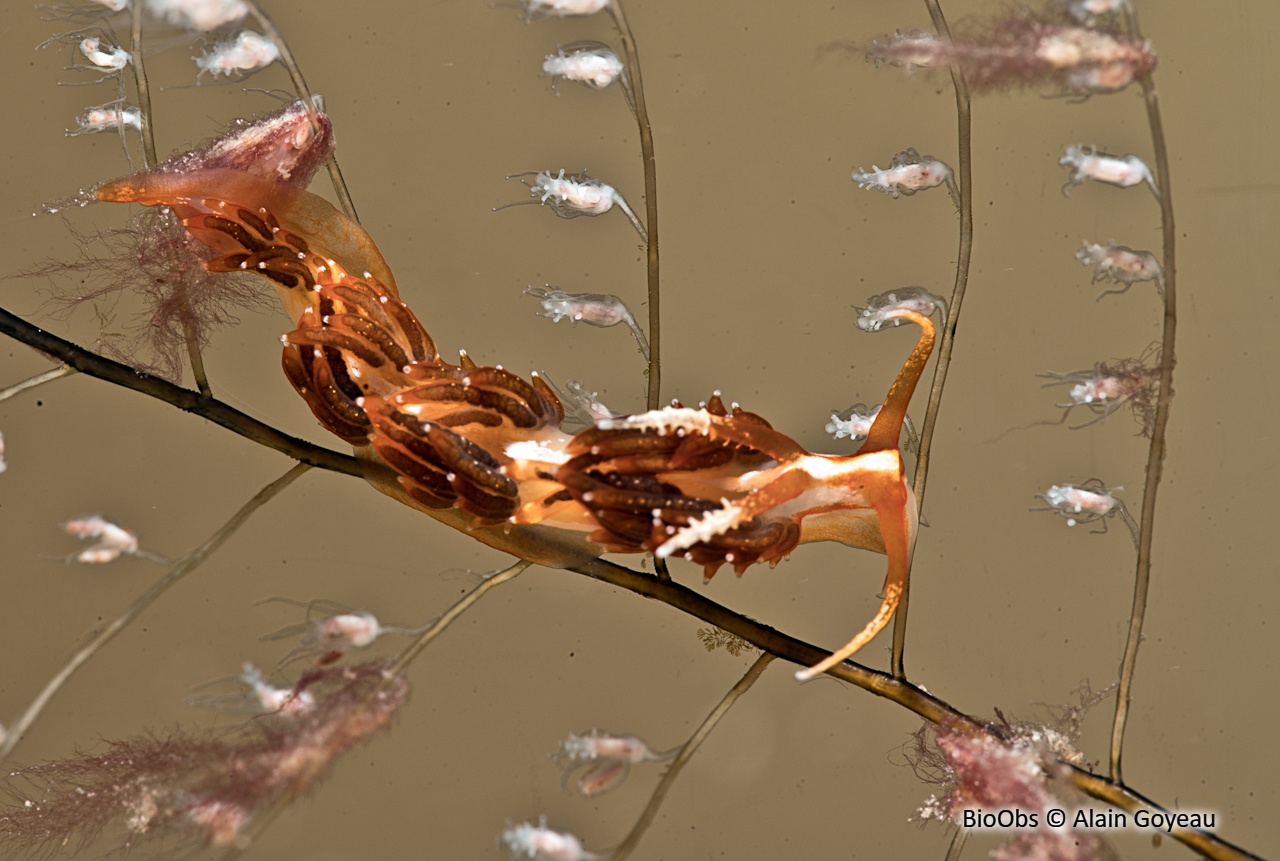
(1156, 454)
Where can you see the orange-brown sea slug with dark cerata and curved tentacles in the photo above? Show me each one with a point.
(483, 451)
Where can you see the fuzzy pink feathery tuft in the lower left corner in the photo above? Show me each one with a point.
(200, 787)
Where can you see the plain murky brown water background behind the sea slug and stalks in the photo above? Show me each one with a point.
(766, 245)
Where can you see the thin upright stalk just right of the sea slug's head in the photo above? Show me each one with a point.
(964, 158)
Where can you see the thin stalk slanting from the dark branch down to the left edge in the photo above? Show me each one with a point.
(181, 570)
